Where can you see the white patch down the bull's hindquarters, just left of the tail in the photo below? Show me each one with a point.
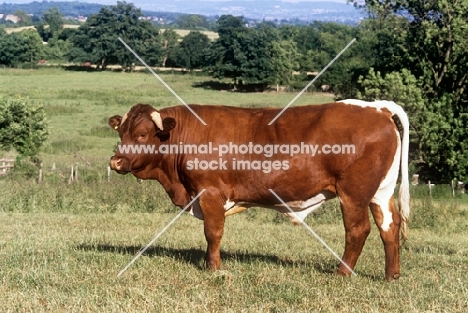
(387, 187)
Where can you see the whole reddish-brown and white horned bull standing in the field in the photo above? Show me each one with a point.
(350, 149)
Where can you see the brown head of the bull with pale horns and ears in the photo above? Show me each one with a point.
(139, 129)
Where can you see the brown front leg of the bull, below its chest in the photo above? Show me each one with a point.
(213, 217)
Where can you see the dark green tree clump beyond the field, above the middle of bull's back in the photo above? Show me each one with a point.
(260, 56)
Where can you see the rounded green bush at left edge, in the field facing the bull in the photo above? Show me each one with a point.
(22, 126)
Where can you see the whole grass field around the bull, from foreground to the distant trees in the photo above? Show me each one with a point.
(62, 246)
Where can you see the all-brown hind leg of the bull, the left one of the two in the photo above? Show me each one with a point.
(357, 228)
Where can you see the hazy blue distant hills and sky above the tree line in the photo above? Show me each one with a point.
(168, 11)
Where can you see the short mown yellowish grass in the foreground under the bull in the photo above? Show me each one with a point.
(68, 261)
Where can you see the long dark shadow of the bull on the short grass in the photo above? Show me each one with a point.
(193, 256)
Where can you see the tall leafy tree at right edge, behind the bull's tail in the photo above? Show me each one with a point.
(432, 42)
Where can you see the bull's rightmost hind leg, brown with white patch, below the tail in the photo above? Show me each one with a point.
(389, 232)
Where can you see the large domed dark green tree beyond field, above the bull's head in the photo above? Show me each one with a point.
(97, 40)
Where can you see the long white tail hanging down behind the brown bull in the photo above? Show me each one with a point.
(403, 193)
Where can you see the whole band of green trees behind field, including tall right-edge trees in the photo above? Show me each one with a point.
(407, 51)
